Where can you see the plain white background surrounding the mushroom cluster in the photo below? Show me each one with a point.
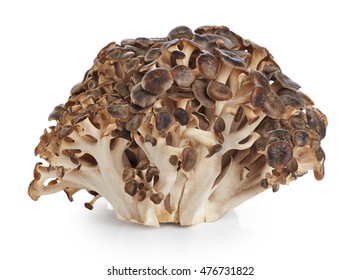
(308, 230)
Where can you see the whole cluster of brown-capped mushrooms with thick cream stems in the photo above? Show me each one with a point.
(180, 129)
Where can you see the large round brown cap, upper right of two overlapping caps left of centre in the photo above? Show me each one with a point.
(157, 81)
